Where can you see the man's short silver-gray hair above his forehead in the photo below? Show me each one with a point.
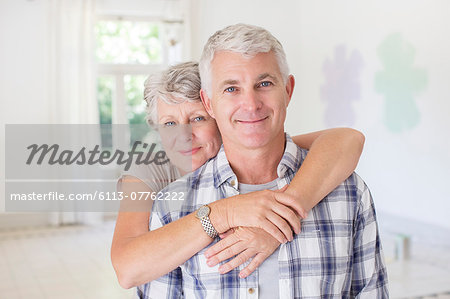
(248, 40)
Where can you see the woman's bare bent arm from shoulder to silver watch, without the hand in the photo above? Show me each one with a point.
(139, 255)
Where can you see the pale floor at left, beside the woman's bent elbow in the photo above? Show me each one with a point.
(68, 262)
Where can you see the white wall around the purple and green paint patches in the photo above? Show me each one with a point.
(408, 172)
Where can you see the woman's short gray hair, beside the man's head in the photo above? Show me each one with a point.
(177, 84)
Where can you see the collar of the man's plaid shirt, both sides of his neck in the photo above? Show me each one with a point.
(289, 161)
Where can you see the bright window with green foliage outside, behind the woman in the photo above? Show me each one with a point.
(128, 50)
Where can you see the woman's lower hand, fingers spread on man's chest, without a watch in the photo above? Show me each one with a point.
(245, 242)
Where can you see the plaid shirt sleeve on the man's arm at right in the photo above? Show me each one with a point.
(369, 277)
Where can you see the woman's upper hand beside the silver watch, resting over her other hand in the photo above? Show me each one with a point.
(276, 212)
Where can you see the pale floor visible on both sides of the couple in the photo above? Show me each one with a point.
(73, 262)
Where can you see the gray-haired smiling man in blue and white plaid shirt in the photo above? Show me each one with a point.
(246, 87)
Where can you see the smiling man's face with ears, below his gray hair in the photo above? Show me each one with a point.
(248, 98)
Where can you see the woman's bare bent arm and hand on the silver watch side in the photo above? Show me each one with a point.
(139, 255)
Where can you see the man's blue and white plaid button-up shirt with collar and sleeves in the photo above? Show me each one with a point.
(337, 254)
